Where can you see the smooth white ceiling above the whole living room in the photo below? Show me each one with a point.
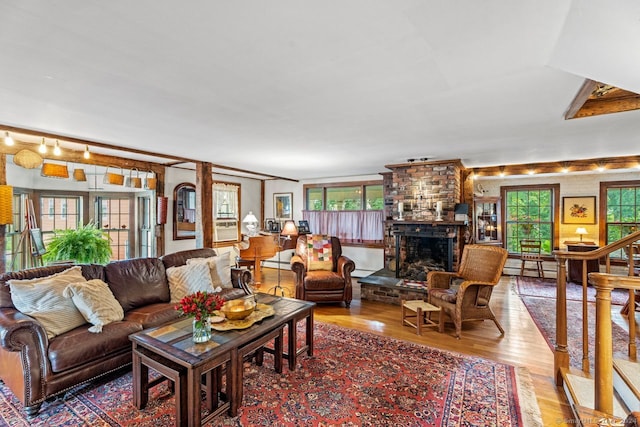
(308, 89)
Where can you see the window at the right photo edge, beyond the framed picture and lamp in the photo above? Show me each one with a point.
(622, 210)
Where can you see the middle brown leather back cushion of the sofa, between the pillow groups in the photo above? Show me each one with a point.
(137, 282)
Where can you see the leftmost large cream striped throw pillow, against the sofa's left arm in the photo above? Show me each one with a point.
(43, 299)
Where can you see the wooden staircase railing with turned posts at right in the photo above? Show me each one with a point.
(604, 284)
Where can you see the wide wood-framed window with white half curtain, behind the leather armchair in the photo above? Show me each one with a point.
(351, 211)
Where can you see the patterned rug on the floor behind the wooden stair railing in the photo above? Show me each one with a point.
(539, 296)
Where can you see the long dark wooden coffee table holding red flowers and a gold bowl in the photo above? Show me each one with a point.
(170, 350)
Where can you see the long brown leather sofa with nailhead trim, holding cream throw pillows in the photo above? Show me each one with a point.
(36, 368)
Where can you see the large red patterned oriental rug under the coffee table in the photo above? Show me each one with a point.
(354, 378)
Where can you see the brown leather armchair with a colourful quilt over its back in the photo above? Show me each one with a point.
(323, 285)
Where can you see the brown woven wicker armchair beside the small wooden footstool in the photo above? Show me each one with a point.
(465, 295)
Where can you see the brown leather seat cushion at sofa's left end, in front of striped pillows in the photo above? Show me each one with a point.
(79, 347)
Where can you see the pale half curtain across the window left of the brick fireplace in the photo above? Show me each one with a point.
(355, 226)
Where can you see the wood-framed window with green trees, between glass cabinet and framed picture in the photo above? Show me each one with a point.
(531, 212)
